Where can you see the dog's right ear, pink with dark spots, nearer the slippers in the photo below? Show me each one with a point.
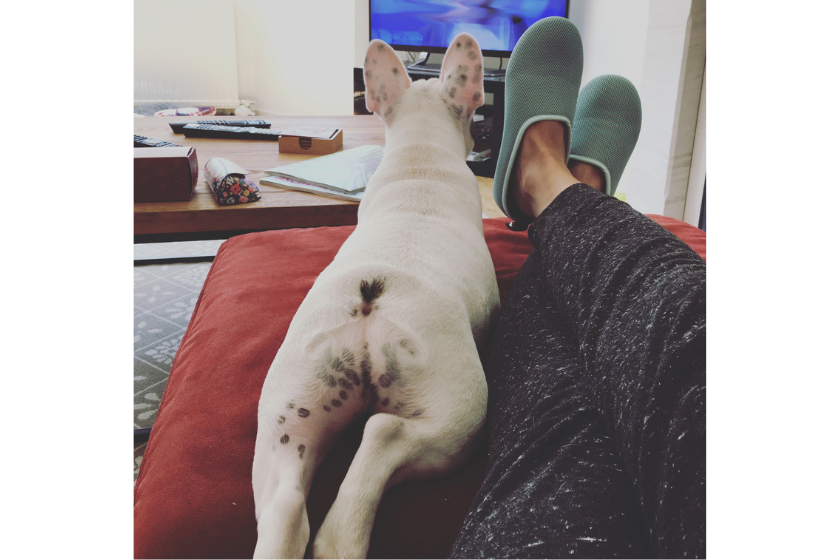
(462, 77)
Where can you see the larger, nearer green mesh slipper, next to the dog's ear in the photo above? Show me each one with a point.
(541, 83)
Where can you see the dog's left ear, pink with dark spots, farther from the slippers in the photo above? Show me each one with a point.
(385, 79)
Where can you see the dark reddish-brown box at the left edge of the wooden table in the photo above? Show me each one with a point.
(165, 174)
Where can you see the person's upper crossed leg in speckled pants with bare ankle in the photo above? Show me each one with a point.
(634, 296)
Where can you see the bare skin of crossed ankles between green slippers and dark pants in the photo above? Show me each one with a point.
(540, 170)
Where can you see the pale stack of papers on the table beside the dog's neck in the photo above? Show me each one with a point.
(342, 175)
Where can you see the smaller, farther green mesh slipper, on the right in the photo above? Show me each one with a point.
(607, 124)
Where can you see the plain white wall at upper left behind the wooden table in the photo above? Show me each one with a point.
(291, 57)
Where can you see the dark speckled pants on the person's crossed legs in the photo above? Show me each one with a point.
(597, 375)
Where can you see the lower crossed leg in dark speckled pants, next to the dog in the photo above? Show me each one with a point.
(555, 485)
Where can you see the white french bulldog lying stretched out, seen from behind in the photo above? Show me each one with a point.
(391, 327)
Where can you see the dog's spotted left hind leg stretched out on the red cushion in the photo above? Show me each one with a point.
(304, 407)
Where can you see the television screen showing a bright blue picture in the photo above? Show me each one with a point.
(430, 25)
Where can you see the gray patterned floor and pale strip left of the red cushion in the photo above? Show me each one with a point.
(164, 298)
